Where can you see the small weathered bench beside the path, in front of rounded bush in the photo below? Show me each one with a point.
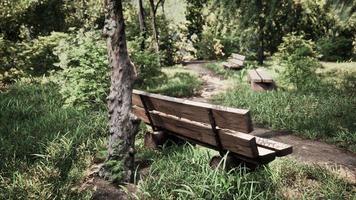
(260, 80)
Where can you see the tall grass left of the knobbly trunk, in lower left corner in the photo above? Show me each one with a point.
(45, 148)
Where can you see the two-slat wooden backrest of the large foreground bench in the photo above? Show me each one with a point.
(198, 121)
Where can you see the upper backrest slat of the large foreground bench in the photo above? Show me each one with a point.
(226, 118)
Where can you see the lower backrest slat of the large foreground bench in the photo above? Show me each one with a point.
(236, 142)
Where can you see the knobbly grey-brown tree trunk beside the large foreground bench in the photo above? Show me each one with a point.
(122, 124)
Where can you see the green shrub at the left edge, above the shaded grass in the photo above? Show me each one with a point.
(28, 58)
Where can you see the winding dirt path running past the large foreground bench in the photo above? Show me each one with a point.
(307, 151)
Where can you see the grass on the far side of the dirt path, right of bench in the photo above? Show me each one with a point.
(325, 113)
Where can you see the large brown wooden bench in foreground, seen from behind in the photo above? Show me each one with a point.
(217, 127)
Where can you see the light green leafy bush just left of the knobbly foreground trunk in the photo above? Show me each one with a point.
(84, 78)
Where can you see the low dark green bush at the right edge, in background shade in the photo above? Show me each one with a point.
(335, 49)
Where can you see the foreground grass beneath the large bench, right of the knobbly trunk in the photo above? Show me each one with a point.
(183, 172)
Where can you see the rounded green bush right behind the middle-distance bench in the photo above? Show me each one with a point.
(296, 57)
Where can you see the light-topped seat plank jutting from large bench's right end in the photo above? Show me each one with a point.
(280, 148)
